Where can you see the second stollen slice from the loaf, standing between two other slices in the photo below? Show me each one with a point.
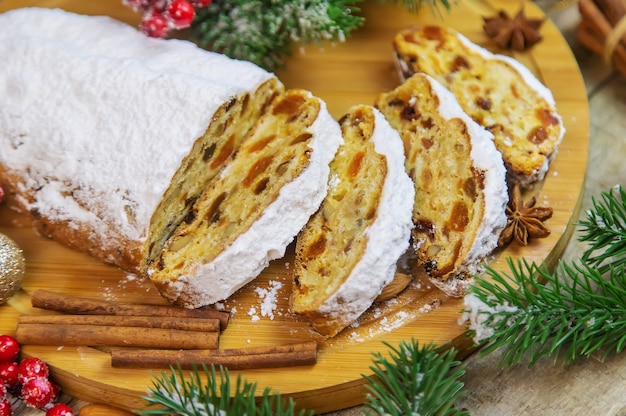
(348, 251)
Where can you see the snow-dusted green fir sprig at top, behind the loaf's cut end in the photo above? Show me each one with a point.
(263, 31)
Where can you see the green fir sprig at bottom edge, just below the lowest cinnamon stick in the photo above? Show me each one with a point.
(202, 395)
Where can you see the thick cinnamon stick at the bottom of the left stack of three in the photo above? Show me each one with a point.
(114, 336)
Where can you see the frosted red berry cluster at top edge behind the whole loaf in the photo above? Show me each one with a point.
(161, 16)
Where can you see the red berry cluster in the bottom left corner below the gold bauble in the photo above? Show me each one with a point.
(27, 379)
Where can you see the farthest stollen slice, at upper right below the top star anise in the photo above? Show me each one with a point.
(495, 90)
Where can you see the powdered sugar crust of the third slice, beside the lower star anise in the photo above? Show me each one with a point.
(486, 158)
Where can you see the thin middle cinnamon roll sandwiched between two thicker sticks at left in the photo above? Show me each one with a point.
(163, 322)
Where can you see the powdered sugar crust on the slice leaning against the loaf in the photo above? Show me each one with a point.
(268, 238)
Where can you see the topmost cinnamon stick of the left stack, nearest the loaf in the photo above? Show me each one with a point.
(79, 306)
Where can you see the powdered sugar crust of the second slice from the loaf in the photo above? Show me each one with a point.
(387, 237)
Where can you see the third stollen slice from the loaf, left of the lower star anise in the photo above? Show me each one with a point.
(459, 177)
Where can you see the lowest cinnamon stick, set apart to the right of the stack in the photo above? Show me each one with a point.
(233, 359)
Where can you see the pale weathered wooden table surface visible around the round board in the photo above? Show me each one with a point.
(588, 387)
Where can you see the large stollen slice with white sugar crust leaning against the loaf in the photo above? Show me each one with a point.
(254, 209)
